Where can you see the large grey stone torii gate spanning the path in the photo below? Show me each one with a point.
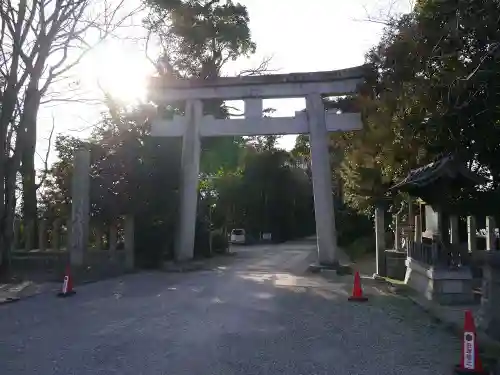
(252, 90)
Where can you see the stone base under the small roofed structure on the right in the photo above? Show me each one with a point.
(447, 287)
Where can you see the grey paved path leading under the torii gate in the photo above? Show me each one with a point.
(255, 315)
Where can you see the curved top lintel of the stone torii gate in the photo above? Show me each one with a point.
(336, 82)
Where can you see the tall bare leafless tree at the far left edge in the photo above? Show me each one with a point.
(40, 41)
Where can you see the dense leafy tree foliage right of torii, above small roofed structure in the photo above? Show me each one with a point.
(432, 90)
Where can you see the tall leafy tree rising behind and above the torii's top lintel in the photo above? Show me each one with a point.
(197, 38)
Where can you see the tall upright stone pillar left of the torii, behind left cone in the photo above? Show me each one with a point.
(80, 207)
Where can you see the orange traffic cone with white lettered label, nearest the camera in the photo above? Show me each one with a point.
(470, 362)
